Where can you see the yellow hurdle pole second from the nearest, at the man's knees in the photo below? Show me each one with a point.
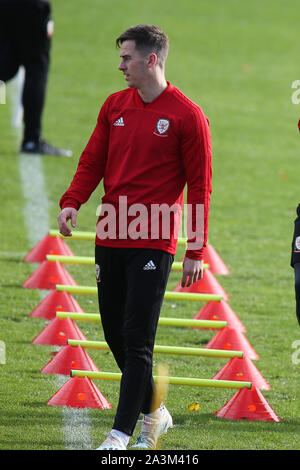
(177, 350)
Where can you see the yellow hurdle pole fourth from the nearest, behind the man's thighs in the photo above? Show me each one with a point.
(169, 295)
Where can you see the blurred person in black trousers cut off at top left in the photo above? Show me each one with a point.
(26, 29)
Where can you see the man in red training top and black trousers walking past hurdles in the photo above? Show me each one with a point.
(150, 140)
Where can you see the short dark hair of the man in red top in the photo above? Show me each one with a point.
(148, 38)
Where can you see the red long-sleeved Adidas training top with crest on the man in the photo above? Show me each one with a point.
(146, 153)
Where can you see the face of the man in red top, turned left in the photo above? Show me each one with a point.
(133, 64)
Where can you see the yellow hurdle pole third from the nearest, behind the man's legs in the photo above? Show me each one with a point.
(165, 321)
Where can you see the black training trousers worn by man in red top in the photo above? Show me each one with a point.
(131, 287)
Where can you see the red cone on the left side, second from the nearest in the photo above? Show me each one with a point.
(69, 357)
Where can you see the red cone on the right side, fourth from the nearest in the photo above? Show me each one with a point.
(220, 311)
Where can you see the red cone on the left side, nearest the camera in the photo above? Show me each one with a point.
(79, 392)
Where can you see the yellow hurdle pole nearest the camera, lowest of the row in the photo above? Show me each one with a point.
(171, 380)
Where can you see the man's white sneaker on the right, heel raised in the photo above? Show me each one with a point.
(153, 428)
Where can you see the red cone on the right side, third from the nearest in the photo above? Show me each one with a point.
(231, 339)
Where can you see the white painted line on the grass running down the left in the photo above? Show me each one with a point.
(76, 422)
